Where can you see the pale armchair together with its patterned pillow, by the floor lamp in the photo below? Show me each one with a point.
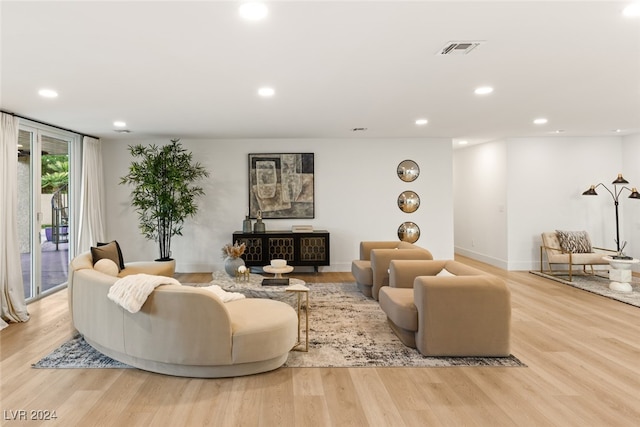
(577, 251)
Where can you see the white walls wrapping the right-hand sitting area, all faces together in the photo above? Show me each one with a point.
(545, 178)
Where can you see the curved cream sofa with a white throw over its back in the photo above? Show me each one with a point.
(180, 330)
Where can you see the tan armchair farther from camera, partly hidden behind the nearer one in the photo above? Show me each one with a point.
(372, 269)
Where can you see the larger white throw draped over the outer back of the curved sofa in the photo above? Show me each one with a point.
(132, 291)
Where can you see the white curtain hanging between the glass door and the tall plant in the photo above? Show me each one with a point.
(91, 225)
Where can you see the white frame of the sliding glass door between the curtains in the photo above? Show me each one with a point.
(74, 151)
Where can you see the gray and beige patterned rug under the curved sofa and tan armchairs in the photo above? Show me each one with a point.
(346, 329)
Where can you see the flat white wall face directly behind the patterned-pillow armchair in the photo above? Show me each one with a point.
(546, 179)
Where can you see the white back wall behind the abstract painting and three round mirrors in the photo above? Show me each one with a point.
(356, 190)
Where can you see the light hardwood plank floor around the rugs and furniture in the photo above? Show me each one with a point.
(582, 352)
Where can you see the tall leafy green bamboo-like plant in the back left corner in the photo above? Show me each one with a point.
(164, 190)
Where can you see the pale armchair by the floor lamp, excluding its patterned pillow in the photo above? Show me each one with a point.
(552, 252)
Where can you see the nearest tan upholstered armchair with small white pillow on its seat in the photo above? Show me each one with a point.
(446, 308)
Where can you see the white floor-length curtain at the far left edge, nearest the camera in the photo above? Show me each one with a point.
(12, 302)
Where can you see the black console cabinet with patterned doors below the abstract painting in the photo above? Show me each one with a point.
(299, 249)
